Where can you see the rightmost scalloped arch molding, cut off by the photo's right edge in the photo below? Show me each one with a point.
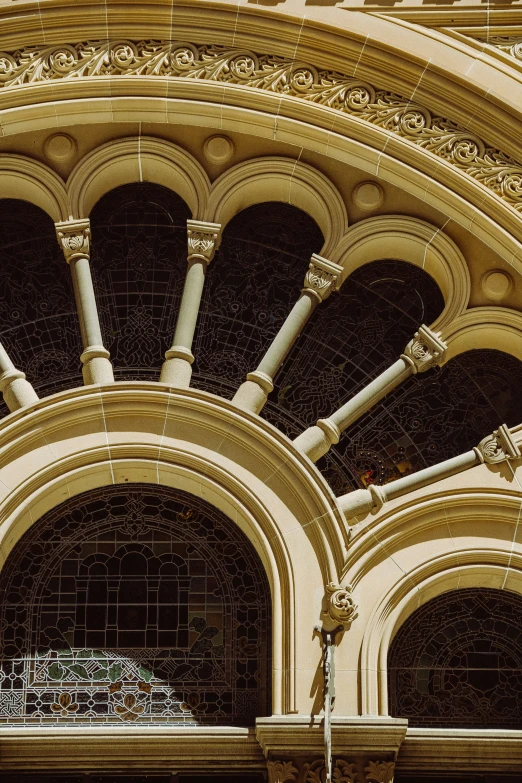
(485, 327)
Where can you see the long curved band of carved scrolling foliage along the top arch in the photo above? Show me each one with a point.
(413, 122)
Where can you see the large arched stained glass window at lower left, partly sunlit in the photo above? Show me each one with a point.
(134, 604)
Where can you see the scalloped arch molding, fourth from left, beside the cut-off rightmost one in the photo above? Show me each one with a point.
(417, 242)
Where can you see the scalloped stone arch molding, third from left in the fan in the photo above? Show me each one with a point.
(280, 179)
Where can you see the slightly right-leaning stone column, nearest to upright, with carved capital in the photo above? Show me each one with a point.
(203, 241)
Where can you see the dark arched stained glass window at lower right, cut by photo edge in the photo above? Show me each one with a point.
(457, 661)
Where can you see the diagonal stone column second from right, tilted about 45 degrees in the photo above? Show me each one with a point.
(424, 351)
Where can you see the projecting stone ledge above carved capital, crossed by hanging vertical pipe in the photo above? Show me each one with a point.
(303, 735)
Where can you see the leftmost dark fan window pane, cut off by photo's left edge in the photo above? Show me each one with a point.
(39, 324)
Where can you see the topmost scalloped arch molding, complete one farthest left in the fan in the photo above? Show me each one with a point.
(137, 159)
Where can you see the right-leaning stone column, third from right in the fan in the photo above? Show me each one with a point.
(321, 279)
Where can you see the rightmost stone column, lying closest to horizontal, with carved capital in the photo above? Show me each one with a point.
(492, 449)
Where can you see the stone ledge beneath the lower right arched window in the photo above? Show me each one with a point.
(466, 750)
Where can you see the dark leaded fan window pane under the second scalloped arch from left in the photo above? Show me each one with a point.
(139, 262)
